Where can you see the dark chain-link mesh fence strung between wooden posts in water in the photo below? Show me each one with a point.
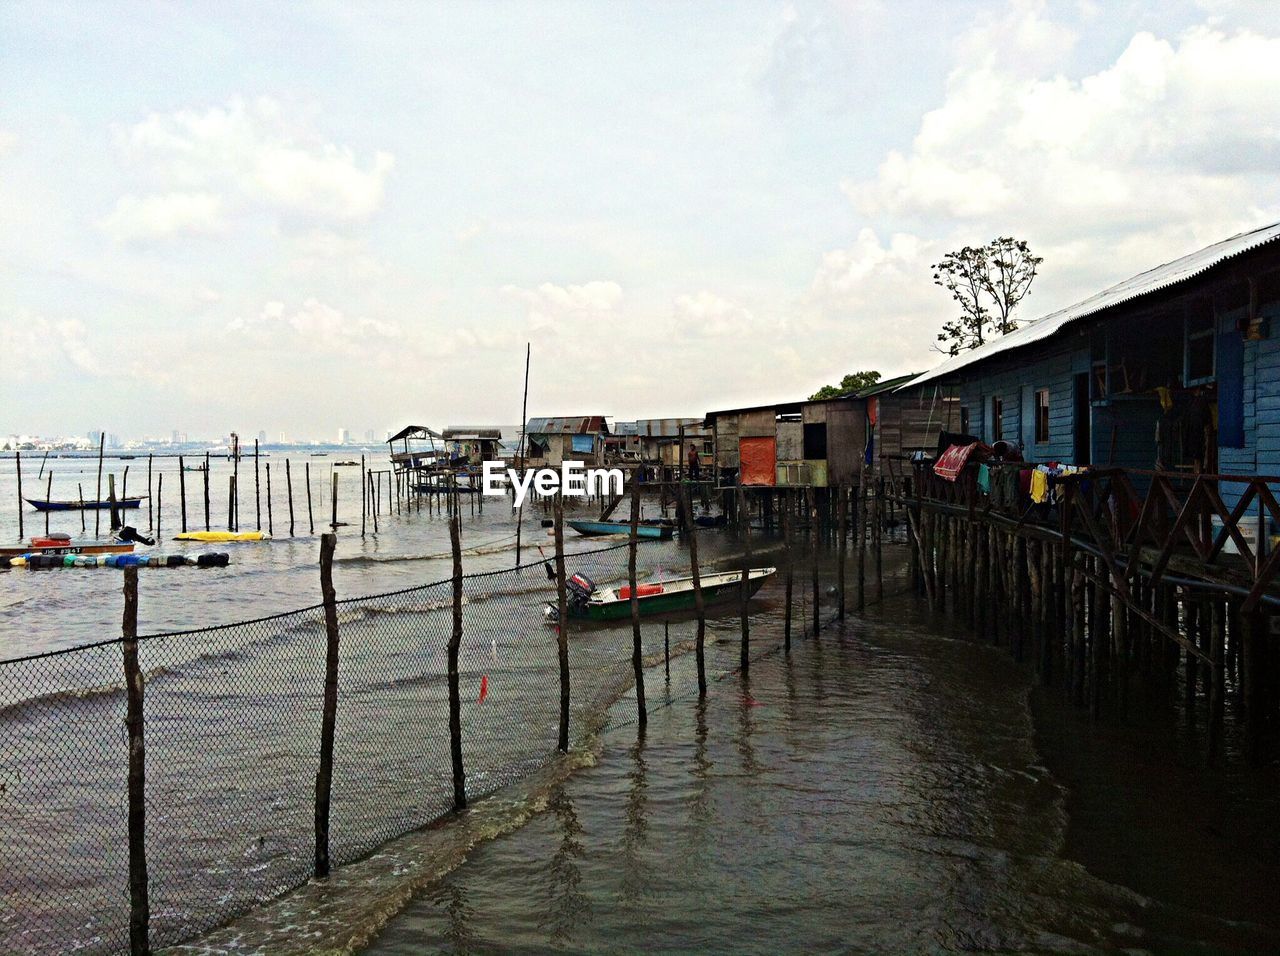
(234, 717)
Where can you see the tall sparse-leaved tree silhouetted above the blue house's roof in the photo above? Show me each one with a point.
(988, 282)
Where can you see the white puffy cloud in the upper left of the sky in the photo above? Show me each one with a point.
(253, 154)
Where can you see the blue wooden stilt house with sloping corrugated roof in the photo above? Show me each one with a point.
(1177, 369)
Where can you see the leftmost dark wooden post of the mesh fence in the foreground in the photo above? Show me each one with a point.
(140, 908)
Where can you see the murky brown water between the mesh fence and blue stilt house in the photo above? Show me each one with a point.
(883, 790)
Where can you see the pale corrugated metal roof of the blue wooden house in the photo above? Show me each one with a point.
(1142, 285)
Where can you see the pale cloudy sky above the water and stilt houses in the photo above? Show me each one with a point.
(308, 217)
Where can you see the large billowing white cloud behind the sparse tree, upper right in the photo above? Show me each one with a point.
(1171, 147)
